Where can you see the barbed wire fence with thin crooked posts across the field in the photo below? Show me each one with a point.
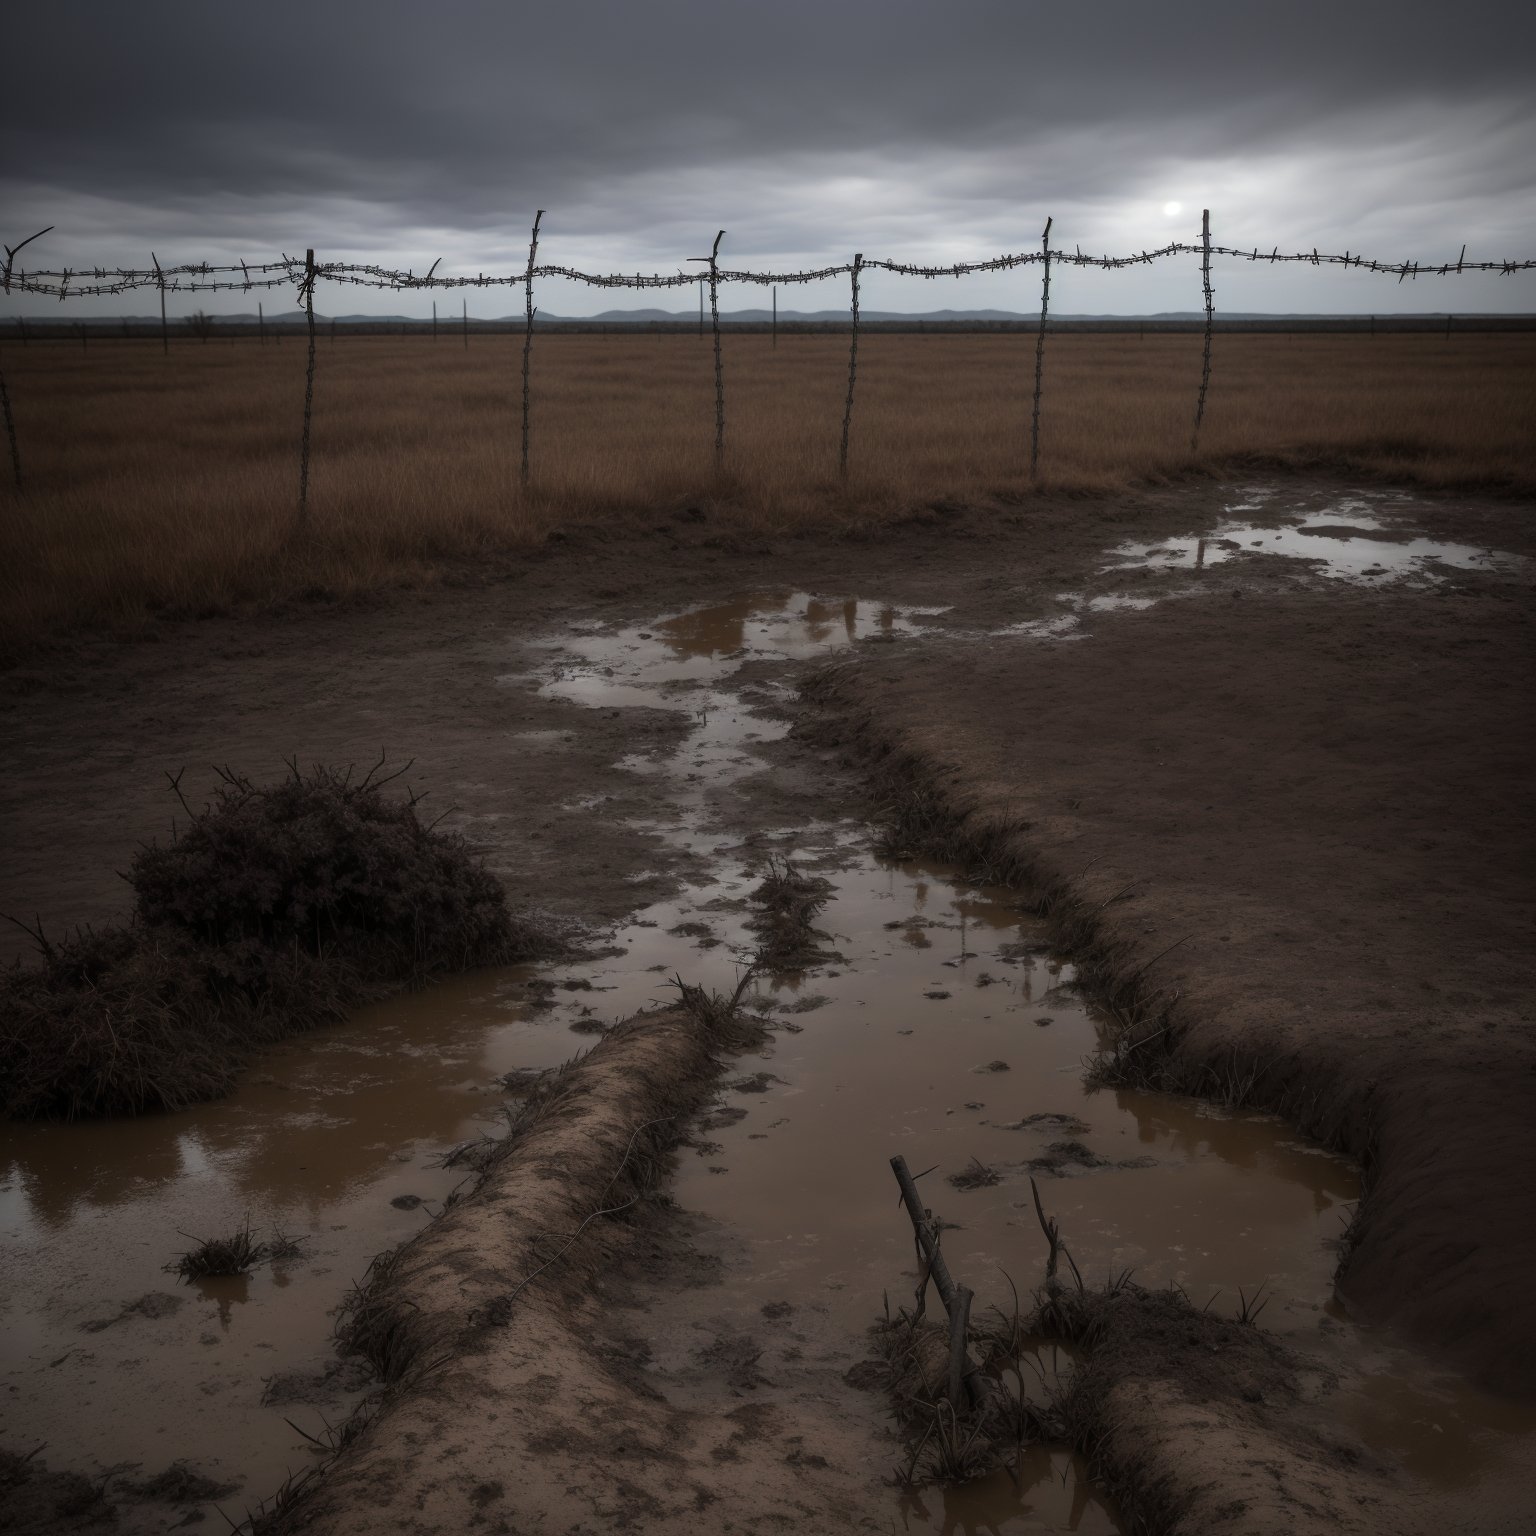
(305, 274)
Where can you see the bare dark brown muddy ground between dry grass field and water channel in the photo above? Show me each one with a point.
(1317, 790)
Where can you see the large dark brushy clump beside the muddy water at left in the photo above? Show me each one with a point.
(276, 910)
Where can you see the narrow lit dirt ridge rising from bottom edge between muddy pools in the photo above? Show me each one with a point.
(492, 1337)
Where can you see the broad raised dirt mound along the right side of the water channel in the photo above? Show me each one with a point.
(1277, 944)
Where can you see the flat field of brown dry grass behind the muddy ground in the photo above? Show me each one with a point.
(171, 485)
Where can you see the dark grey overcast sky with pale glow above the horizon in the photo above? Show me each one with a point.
(944, 131)
